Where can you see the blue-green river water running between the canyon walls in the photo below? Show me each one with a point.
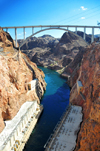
(55, 100)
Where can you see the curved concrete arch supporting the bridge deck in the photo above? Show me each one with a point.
(59, 28)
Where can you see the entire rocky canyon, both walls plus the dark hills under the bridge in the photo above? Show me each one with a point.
(73, 58)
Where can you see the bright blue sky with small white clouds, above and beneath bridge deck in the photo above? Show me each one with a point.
(48, 12)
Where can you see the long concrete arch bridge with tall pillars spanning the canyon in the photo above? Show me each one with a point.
(50, 27)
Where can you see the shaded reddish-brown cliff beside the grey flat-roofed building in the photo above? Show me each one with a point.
(89, 75)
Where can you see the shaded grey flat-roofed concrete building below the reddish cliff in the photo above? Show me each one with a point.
(65, 133)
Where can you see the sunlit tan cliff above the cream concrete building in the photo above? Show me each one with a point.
(16, 71)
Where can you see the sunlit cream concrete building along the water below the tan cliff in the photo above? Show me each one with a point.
(17, 131)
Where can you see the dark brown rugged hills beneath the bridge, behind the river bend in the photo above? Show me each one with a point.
(56, 55)
